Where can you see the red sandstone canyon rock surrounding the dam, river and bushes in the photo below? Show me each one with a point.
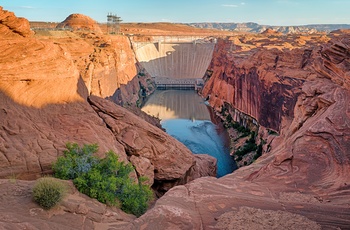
(68, 86)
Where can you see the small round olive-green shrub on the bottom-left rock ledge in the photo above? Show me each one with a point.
(48, 192)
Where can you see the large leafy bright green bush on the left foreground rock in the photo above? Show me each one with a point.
(106, 180)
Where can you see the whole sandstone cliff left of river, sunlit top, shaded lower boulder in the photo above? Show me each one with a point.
(44, 86)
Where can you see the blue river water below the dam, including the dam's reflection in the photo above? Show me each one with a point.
(185, 117)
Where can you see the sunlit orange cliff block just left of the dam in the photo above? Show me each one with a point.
(104, 62)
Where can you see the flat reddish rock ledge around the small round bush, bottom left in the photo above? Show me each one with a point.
(76, 211)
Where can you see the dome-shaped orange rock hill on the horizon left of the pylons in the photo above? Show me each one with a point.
(80, 22)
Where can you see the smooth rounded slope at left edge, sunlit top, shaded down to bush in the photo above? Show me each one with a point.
(36, 121)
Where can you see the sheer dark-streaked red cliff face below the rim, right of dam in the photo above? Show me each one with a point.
(256, 84)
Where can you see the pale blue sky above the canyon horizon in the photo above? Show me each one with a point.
(267, 12)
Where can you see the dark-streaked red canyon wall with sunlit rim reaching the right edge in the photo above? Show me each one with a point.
(258, 78)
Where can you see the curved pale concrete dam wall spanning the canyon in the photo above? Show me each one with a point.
(175, 61)
